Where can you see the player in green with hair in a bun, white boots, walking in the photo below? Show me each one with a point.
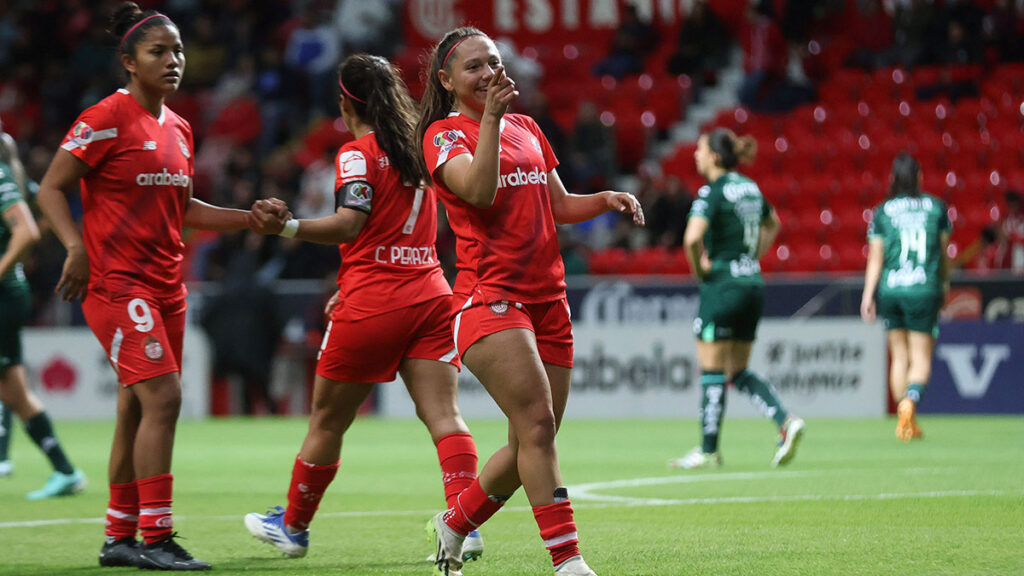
(731, 227)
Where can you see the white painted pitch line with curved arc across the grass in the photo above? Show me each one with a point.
(584, 497)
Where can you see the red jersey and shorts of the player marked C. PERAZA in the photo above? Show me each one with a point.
(395, 299)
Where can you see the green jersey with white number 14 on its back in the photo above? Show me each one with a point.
(912, 229)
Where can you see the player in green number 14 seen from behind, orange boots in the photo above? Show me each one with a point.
(909, 266)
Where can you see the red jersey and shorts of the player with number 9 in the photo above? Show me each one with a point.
(134, 202)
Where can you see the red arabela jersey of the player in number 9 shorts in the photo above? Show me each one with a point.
(134, 198)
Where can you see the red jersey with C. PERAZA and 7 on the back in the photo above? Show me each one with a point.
(393, 264)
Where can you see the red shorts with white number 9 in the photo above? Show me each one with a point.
(141, 334)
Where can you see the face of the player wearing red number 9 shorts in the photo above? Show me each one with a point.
(159, 61)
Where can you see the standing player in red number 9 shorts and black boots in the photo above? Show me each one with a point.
(135, 159)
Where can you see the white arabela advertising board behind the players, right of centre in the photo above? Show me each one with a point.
(827, 368)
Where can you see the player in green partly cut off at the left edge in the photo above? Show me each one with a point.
(18, 233)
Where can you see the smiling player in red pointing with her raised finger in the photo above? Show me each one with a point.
(496, 175)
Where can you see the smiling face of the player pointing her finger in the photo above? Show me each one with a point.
(471, 69)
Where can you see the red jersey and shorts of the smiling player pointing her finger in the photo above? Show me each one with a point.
(510, 270)
